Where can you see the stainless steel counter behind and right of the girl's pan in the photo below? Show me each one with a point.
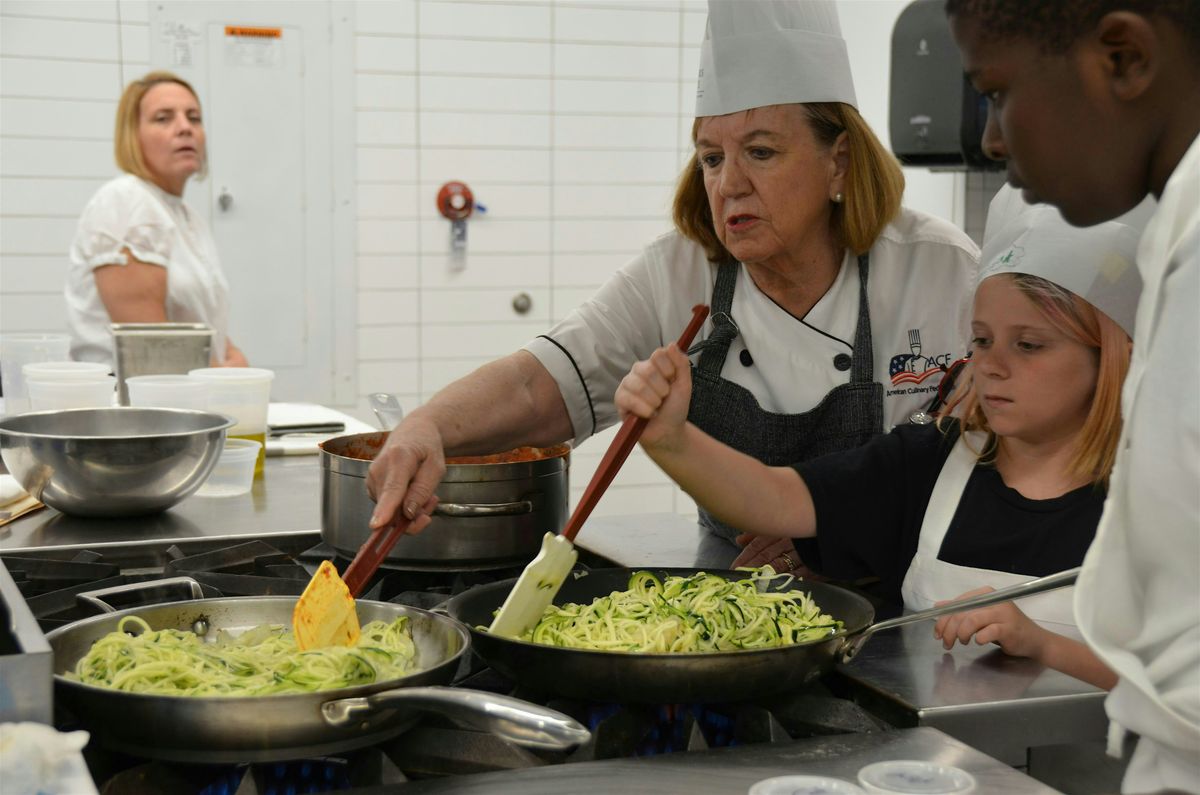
(999, 704)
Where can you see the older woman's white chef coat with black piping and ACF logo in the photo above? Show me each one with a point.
(922, 280)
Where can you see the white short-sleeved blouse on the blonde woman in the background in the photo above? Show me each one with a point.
(158, 229)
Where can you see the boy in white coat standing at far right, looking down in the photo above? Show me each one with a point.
(1096, 104)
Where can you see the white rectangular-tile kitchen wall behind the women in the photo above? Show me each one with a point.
(569, 118)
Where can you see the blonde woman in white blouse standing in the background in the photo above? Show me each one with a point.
(141, 254)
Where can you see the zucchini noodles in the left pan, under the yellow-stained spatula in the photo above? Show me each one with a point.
(259, 662)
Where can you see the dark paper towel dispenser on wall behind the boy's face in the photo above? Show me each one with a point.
(935, 117)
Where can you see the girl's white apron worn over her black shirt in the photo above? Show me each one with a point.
(931, 579)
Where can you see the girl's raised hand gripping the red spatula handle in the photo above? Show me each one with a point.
(658, 390)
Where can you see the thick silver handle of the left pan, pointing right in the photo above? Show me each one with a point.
(517, 721)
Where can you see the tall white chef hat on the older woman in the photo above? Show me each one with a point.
(772, 52)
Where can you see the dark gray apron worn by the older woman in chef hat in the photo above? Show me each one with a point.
(847, 417)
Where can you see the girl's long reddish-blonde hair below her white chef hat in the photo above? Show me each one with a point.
(1081, 321)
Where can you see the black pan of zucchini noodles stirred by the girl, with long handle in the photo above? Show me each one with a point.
(688, 636)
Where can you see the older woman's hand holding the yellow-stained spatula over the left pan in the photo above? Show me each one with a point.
(407, 471)
